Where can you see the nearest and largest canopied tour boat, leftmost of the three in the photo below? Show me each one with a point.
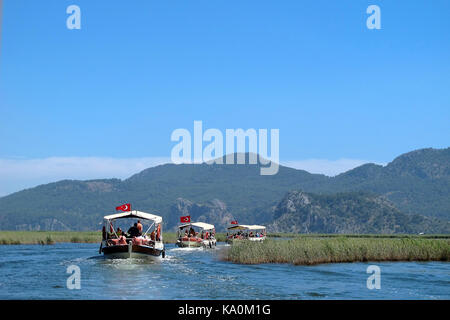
(141, 246)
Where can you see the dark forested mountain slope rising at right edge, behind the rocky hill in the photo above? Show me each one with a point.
(416, 182)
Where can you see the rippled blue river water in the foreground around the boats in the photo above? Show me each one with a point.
(40, 272)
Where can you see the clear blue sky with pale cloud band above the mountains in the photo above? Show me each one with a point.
(137, 70)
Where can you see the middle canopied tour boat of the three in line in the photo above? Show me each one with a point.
(196, 234)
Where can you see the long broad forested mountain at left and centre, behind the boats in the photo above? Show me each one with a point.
(80, 205)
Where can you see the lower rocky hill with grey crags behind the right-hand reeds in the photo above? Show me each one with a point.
(301, 212)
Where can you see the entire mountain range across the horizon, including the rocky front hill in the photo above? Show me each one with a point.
(410, 194)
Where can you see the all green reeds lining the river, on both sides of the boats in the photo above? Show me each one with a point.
(297, 249)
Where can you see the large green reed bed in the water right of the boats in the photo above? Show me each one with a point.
(310, 251)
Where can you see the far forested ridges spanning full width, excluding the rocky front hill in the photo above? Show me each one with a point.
(417, 183)
